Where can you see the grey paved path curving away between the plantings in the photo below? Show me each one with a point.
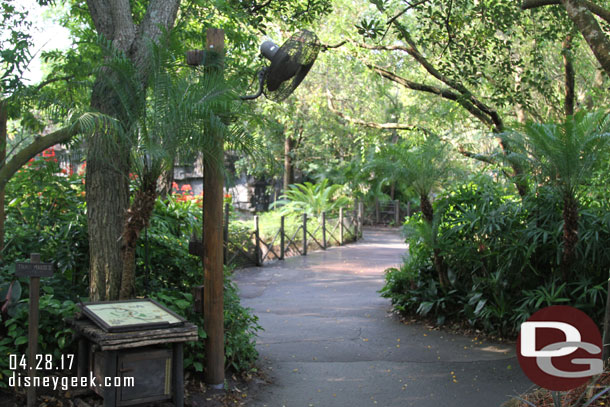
(330, 341)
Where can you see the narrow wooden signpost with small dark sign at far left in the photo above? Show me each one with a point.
(34, 270)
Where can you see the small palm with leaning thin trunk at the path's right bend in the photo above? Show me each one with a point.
(424, 168)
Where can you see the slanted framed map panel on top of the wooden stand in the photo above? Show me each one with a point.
(130, 315)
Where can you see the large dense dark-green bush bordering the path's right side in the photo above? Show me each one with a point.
(503, 255)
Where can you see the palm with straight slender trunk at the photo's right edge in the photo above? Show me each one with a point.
(564, 156)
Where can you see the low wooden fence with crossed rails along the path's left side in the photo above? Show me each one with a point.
(250, 249)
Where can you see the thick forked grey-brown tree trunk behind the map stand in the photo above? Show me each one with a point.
(108, 162)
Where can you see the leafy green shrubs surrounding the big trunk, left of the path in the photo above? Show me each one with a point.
(46, 215)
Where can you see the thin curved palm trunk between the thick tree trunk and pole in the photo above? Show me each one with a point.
(138, 216)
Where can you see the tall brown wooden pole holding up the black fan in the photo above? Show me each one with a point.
(213, 183)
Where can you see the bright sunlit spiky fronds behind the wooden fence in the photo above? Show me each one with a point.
(312, 199)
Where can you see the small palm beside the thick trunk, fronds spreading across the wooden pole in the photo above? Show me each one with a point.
(179, 116)
